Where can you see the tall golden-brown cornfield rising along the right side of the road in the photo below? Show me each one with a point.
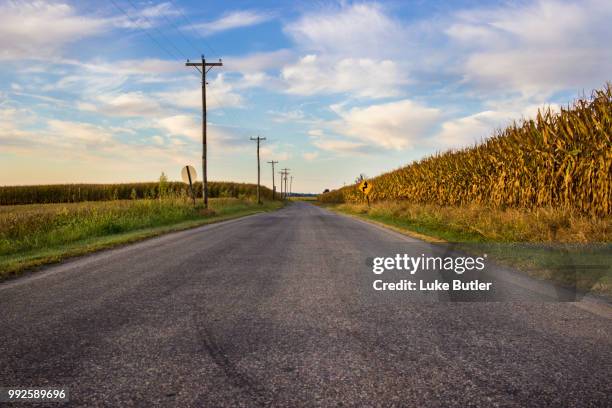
(561, 160)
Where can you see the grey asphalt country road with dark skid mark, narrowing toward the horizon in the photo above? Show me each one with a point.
(278, 309)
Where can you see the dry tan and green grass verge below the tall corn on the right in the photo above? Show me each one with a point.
(571, 250)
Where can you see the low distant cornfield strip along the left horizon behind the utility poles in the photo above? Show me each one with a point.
(72, 193)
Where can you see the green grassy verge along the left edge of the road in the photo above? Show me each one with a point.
(35, 235)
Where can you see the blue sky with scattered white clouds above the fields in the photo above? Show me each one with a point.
(98, 91)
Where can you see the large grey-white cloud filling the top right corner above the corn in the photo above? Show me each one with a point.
(535, 49)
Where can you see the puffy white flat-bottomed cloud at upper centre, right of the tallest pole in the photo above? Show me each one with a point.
(360, 77)
